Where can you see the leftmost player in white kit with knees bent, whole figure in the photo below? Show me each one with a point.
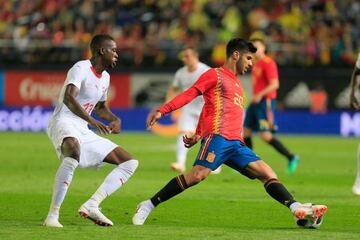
(85, 90)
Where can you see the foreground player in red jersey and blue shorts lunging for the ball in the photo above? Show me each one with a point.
(220, 128)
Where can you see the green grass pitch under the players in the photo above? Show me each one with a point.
(225, 206)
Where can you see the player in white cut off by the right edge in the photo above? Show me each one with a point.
(355, 103)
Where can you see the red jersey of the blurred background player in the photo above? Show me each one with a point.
(263, 71)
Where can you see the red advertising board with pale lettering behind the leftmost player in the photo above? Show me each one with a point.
(34, 88)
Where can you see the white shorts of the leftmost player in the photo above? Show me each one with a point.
(93, 148)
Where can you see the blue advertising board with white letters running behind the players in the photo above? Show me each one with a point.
(35, 119)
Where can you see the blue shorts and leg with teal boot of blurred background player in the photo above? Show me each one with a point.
(267, 125)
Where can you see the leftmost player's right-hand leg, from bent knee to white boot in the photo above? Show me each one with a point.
(126, 166)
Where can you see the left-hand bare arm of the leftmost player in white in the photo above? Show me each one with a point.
(71, 92)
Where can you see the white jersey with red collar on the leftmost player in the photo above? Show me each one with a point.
(93, 88)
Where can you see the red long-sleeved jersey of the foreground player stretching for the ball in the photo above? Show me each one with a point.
(223, 110)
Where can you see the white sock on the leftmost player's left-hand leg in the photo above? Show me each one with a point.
(62, 182)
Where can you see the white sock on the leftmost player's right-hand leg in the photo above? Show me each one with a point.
(113, 181)
